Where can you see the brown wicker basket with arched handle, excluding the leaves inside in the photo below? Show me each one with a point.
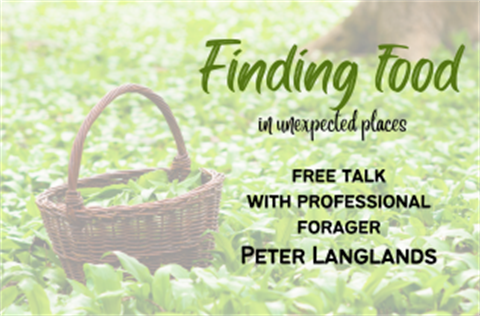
(160, 232)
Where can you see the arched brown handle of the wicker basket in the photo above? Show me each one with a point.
(179, 169)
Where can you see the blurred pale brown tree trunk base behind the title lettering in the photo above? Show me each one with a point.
(422, 26)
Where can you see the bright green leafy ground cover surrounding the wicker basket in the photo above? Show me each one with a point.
(59, 59)
